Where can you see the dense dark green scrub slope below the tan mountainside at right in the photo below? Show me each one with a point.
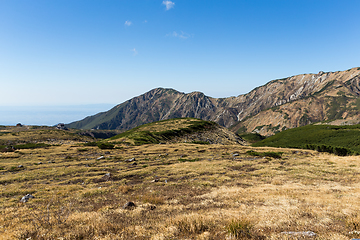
(340, 140)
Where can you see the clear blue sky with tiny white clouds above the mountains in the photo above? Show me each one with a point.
(73, 52)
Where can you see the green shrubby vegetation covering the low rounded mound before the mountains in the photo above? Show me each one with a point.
(140, 135)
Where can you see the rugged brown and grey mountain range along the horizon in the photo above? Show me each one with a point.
(278, 105)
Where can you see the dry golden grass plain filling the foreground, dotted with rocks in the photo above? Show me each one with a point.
(208, 194)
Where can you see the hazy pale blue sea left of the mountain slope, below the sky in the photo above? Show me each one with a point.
(48, 115)
